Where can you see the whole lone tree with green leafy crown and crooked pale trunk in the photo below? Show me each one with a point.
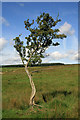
(39, 39)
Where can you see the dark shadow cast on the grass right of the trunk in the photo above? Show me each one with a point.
(53, 94)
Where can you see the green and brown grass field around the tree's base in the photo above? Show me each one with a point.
(57, 92)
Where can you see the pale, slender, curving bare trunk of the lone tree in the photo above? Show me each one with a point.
(32, 86)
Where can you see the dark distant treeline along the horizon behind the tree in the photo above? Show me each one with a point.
(43, 64)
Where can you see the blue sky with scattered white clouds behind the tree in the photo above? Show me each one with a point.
(15, 13)
